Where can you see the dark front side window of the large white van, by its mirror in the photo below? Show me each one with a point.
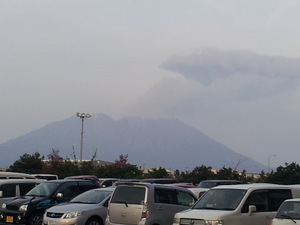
(258, 198)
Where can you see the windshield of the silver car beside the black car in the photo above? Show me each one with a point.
(91, 197)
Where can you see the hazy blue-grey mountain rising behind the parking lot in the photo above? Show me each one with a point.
(166, 143)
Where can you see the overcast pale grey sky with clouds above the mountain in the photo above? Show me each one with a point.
(229, 68)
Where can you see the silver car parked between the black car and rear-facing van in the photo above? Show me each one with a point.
(88, 208)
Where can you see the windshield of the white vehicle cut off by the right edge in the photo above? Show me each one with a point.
(289, 210)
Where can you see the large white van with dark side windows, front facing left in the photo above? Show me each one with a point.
(242, 204)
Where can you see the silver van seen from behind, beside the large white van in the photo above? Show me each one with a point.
(147, 204)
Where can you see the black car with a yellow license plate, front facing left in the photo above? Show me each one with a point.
(29, 209)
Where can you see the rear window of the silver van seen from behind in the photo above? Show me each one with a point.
(129, 194)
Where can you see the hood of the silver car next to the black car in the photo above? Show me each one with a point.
(68, 207)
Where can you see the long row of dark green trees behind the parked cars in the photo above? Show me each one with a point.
(122, 169)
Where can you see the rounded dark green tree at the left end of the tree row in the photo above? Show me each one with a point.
(28, 164)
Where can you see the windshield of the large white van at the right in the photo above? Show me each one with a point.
(220, 199)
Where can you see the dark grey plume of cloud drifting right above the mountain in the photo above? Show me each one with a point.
(208, 65)
